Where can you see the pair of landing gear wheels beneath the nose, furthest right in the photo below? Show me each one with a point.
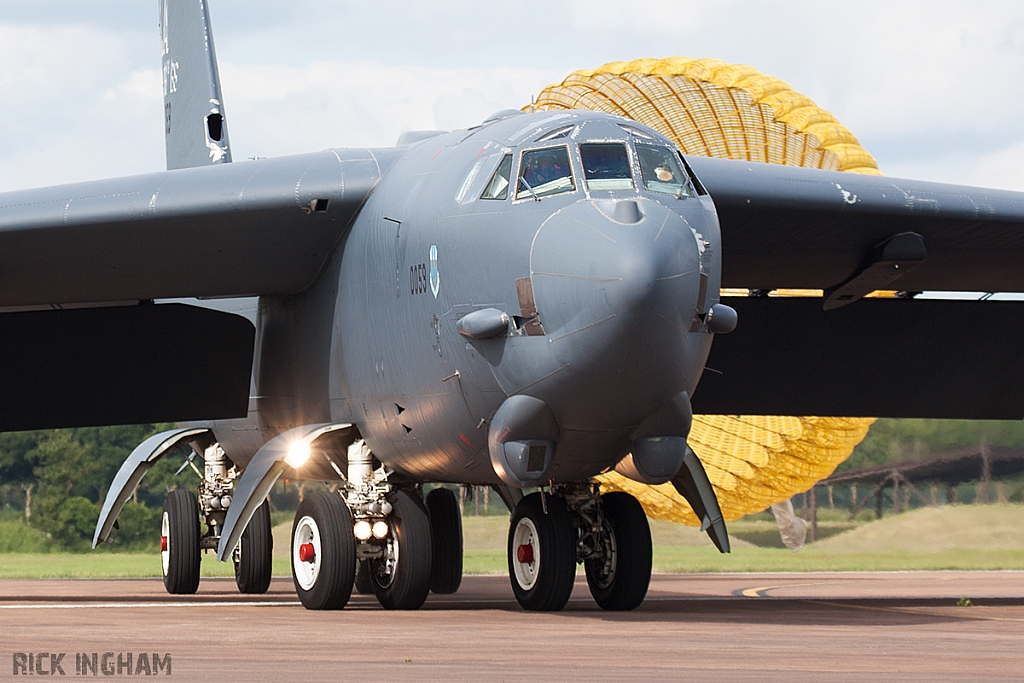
(551, 533)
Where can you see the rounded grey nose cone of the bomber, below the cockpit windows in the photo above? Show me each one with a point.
(617, 286)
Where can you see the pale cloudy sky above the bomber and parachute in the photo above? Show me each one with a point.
(933, 90)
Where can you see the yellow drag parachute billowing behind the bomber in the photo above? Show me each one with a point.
(713, 109)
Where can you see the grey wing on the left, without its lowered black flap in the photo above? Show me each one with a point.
(233, 230)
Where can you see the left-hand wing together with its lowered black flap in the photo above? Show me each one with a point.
(84, 255)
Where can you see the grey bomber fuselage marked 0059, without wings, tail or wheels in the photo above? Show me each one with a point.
(618, 275)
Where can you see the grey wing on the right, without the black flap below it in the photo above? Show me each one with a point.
(786, 227)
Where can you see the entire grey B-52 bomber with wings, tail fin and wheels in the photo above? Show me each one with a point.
(525, 305)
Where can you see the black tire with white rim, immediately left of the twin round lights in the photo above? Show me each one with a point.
(323, 580)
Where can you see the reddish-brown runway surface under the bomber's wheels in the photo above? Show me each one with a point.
(793, 627)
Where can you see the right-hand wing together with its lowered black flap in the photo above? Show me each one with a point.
(850, 235)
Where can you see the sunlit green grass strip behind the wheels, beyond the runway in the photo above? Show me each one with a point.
(950, 538)
